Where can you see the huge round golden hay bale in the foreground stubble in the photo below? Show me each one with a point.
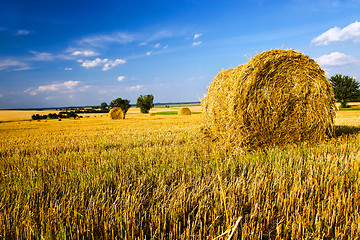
(279, 97)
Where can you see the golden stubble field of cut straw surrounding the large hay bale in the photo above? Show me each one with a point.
(157, 178)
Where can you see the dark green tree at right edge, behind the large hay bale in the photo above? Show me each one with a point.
(345, 89)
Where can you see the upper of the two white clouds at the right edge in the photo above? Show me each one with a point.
(336, 34)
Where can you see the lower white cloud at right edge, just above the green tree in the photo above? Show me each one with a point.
(337, 59)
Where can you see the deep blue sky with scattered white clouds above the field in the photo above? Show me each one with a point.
(75, 53)
